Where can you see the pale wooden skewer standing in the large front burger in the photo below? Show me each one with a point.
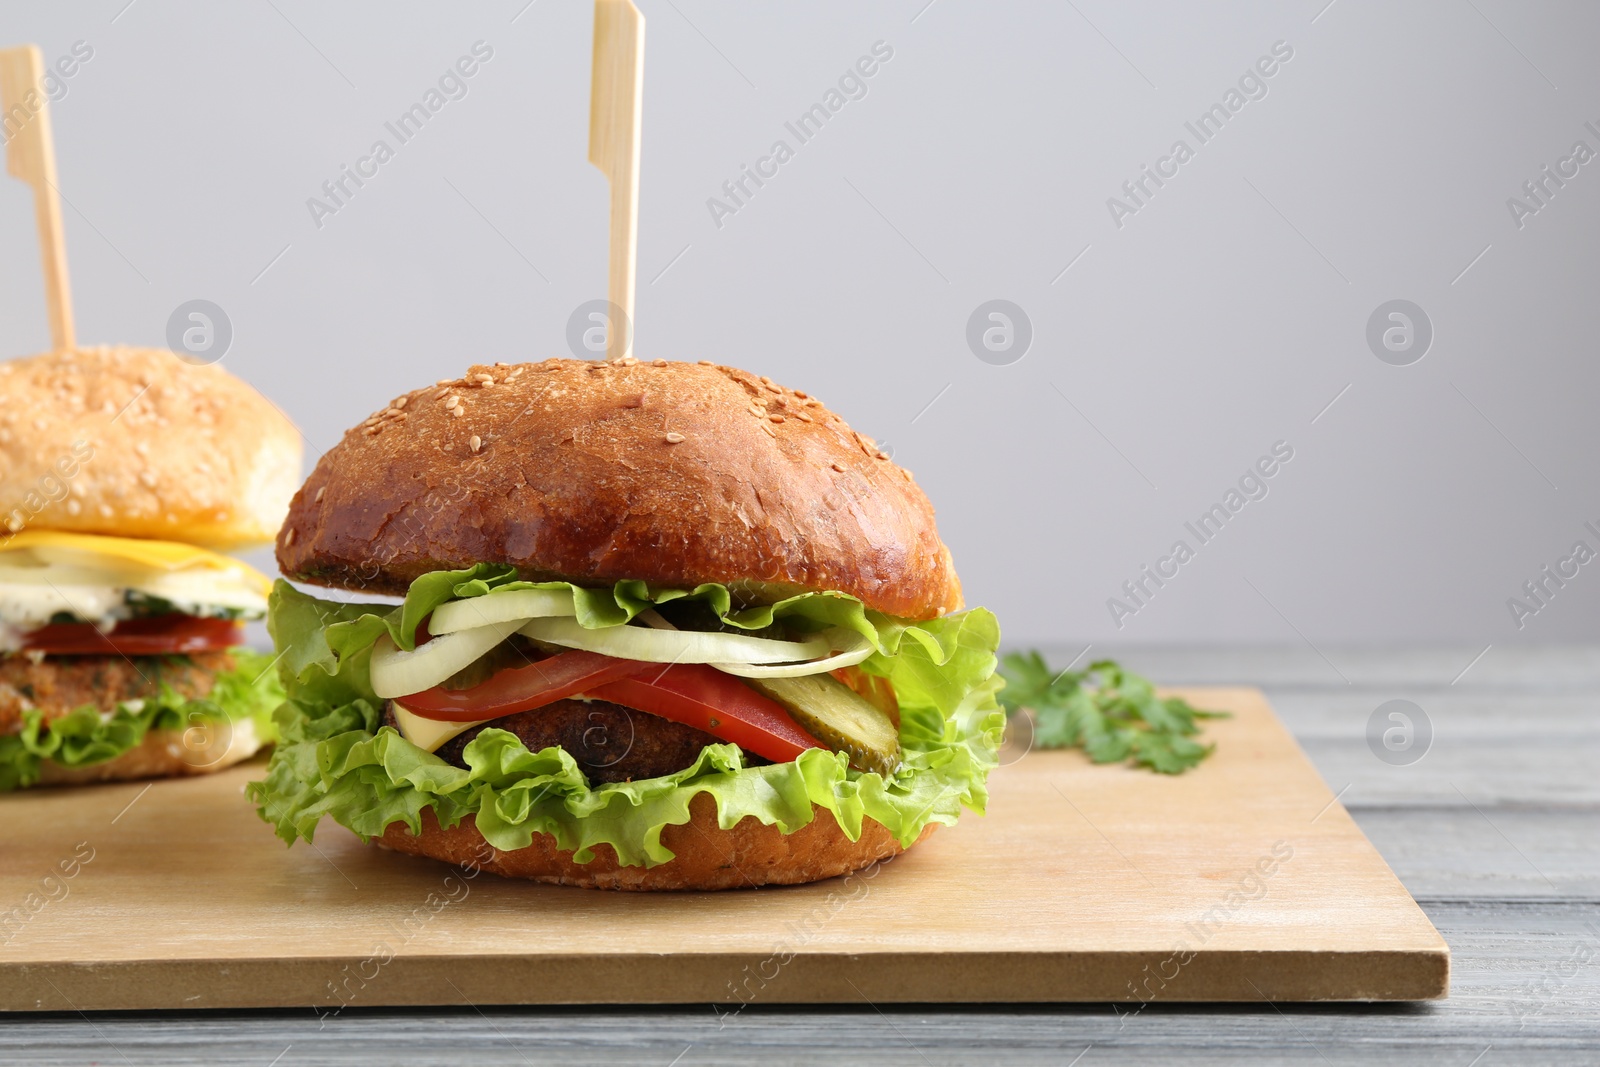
(615, 106)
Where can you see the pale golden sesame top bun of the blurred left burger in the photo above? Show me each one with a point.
(140, 444)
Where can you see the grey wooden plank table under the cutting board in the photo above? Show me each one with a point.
(1495, 831)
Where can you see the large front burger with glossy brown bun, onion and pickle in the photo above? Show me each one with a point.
(660, 626)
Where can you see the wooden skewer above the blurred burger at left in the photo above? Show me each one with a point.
(31, 156)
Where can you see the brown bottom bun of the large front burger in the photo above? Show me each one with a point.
(706, 857)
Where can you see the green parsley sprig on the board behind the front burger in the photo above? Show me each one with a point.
(1113, 714)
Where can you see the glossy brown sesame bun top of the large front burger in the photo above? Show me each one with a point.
(593, 473)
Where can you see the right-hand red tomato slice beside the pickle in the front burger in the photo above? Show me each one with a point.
(705, 698)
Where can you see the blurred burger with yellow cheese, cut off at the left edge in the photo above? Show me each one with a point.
(122, 474)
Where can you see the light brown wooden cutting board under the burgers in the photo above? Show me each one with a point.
(1242, 881)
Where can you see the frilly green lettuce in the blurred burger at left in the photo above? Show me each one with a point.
(84, 737)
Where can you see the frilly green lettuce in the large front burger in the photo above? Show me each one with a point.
(337, 761)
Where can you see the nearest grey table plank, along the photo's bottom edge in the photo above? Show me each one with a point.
(1513, 988)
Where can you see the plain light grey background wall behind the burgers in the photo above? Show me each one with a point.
(1223, 318)
